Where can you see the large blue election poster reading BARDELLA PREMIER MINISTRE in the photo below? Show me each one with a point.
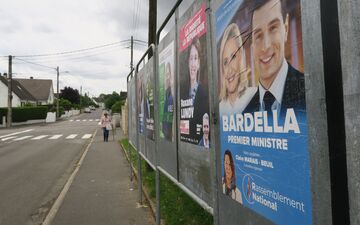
(263, 125)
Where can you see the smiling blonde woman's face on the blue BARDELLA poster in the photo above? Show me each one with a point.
(231, 65)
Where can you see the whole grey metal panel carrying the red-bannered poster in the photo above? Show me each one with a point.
(193, 113)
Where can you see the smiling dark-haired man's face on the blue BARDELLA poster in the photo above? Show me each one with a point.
(269, 37)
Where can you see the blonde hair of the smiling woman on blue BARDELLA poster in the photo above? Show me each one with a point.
(232, 31)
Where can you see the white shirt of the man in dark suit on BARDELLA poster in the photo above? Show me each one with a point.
(276, 89)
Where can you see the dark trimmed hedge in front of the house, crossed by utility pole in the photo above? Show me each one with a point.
(22, 114)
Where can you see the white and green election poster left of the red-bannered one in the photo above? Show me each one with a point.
(167, 92)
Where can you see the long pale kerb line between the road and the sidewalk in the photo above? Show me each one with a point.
(60, 199)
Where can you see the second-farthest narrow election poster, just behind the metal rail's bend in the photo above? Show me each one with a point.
(149, 100)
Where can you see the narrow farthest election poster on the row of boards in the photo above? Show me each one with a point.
(140, 100)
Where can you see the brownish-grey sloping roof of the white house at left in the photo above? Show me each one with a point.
(38, 88)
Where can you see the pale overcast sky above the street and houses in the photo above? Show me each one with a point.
(36, 27)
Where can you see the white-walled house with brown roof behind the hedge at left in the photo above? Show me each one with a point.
(26, 91)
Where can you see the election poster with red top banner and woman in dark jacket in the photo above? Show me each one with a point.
(194, 98)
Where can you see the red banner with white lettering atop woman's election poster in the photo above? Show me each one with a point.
(195, 27)
